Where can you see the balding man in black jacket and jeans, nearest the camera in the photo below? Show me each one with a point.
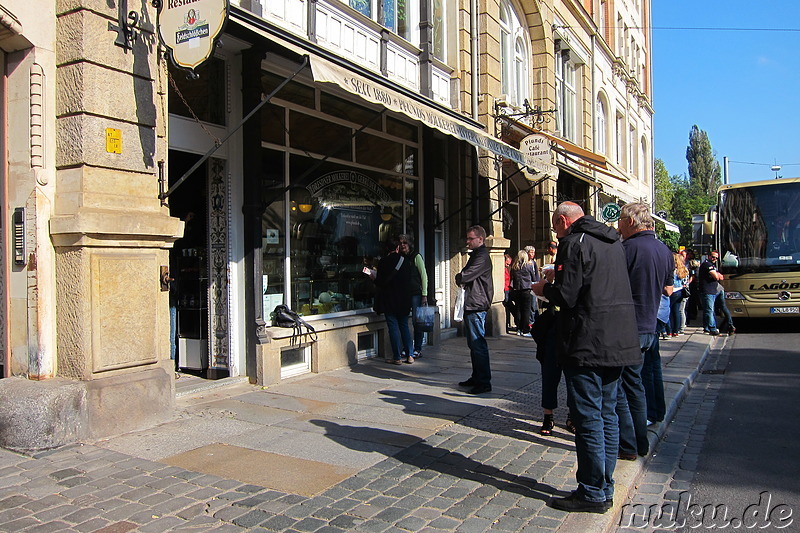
(596, 338)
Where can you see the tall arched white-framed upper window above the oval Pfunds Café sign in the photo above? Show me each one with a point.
(514, 56)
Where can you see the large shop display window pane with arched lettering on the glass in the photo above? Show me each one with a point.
(351, 214)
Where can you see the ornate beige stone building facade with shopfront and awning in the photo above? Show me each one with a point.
(152, 220)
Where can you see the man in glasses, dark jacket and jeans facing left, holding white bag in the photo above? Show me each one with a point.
(476, 279)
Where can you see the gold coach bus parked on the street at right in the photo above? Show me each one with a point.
(757, 235)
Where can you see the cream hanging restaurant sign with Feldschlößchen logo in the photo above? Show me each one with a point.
(189, 28)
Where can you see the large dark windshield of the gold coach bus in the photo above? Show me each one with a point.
(759, 228)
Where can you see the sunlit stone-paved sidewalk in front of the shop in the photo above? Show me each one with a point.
(401, 450)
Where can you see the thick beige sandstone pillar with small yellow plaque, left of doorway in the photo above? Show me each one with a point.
(110, 231)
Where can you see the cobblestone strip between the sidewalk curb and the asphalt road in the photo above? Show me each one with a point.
(653, 505)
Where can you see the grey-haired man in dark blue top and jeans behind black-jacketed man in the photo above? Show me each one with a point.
(650, 269)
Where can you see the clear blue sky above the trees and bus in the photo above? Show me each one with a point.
(741, 87)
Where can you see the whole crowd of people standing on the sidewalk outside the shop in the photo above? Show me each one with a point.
(597, 309)
